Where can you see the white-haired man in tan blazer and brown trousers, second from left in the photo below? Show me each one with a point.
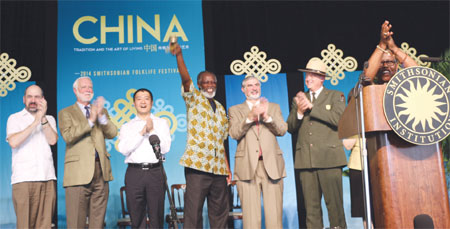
(87, 169)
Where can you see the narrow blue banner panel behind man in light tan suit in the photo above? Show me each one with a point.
(275, 90)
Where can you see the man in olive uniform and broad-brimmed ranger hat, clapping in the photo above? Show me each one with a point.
(319, 155)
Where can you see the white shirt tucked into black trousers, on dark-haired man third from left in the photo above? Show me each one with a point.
(135, 147)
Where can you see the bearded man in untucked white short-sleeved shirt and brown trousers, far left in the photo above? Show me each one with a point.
(30, 133)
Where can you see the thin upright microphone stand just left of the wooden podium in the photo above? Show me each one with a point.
(363, 149)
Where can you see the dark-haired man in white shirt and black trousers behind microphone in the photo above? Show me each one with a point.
(144, 182)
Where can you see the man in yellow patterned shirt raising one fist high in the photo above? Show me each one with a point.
(206, 166)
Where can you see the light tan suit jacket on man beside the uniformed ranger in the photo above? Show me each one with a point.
(249, 142)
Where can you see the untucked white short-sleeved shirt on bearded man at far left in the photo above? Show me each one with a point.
(33, 159)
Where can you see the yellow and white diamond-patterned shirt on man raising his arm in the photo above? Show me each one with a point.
(206, 132)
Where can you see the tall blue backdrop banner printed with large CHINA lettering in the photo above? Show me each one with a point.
(122, 47)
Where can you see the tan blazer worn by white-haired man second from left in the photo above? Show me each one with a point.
(81, 143)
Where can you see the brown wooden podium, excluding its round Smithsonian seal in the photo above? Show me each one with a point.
(408, 184)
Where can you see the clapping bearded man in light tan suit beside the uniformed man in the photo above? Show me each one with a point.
(259, 166)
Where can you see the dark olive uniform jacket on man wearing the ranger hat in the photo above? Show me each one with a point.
(318, 145)
